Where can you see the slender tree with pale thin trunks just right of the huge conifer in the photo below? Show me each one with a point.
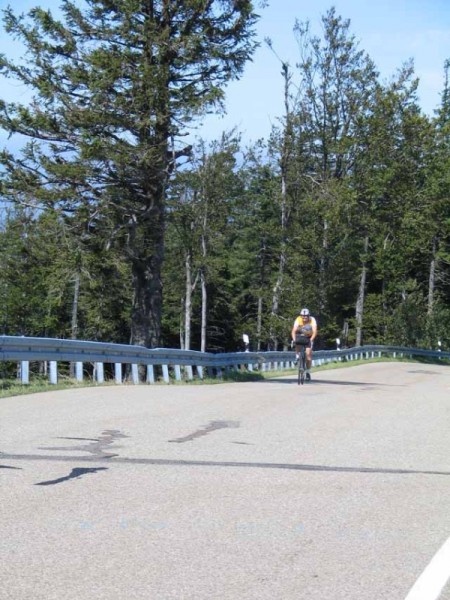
(202, 207)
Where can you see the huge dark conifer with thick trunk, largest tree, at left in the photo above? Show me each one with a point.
(115, 84)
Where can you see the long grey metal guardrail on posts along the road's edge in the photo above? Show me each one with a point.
(52, 351)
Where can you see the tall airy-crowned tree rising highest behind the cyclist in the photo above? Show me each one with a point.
(337, 82)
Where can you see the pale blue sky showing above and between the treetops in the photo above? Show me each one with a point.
(390, 31)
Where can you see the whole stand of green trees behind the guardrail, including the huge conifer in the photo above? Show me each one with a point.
(117, 230)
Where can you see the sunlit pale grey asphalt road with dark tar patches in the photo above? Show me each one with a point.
(339, 489)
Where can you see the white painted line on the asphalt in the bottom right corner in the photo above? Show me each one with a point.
(432, 581)
